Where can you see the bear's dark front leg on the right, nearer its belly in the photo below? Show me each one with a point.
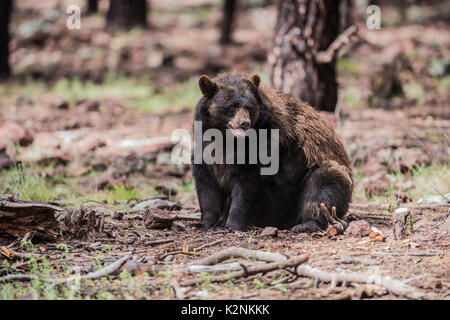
(241, 213)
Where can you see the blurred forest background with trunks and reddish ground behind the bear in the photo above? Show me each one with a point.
(87, 114)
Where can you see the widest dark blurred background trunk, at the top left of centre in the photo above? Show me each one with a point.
(126, 14)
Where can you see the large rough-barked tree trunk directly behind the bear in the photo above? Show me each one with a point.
(303, 29)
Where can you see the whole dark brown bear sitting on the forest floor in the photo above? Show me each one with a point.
(313, 165)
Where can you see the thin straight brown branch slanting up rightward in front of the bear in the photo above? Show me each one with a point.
(249, 270)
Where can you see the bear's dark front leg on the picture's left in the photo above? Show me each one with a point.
(210, 197)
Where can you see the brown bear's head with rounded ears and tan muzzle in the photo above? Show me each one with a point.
(232, 102)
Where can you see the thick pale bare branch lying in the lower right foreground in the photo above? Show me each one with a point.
(396, 287)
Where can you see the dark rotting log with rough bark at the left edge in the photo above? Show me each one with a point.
(17, 218)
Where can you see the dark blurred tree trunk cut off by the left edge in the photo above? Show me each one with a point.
(5, 15)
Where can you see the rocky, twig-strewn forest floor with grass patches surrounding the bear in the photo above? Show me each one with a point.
(75, 129)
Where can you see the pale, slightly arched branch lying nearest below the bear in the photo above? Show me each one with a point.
(234, 252)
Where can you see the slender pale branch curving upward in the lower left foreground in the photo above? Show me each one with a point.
(113, 267)
